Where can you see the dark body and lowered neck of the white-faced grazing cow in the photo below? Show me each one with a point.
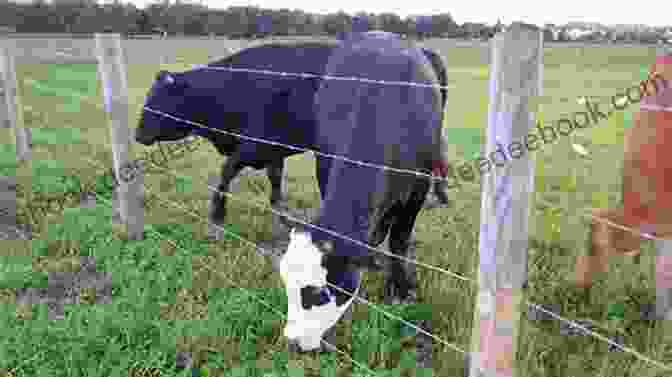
(385, 124)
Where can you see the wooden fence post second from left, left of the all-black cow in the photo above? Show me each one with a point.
(112, 73)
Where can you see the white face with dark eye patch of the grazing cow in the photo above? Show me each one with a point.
(304, 277)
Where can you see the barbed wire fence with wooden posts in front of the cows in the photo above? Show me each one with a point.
(515, 80)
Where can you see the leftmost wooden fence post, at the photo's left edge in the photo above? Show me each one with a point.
(13, 109)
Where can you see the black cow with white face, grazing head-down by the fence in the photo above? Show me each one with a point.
(392, 125)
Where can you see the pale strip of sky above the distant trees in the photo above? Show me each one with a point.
(647, 12)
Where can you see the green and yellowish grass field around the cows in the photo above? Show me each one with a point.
(222, 301)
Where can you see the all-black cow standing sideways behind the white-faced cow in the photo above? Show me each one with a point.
(254, 104)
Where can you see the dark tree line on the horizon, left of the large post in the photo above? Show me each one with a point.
(86, 16)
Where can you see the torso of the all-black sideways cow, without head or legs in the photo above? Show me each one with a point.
(266, 104)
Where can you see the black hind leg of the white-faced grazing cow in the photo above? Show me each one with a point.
(400, 282)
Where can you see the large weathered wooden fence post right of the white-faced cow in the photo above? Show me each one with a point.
(514, 82)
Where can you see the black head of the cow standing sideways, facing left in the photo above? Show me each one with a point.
(169, 95)
